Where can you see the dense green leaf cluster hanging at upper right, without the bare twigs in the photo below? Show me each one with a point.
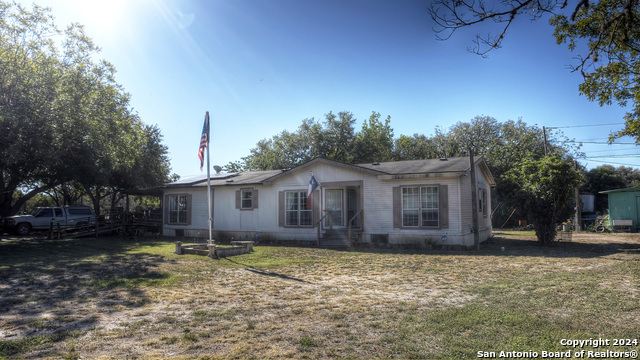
(610, 29)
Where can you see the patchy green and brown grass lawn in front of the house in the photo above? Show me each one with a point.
(123, 298)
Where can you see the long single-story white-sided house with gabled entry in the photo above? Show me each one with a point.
(405, 202)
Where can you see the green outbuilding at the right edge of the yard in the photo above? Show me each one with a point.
(624, 208)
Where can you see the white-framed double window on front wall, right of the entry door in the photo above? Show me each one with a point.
(420, 206)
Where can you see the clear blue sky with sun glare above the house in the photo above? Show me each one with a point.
(262, 66)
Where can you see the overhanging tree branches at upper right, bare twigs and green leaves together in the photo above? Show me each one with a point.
(605, 32)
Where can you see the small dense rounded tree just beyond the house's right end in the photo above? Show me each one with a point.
(544, 188)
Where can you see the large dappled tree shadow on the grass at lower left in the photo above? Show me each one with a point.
(53, 286)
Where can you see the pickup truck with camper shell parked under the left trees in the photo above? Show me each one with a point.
(70, 217)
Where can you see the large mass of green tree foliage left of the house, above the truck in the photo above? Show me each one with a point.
(63, 117)
